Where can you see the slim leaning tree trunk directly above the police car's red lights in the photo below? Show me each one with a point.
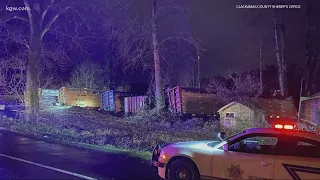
(279, 61)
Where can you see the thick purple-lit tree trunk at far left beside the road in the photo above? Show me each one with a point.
(32, 87)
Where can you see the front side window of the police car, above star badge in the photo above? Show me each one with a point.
(255, 144)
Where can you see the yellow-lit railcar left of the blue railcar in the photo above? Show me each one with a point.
(79, 97)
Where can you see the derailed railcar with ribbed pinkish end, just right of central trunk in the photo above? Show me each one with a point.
(192, 102)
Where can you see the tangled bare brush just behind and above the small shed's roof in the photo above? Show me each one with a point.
(242, 89)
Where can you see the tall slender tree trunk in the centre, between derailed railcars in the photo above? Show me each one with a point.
(156, 56)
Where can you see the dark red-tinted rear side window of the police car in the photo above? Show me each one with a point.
(298, 146)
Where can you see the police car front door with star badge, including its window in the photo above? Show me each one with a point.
(255, 160)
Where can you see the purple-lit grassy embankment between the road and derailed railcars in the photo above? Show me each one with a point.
(133, 136)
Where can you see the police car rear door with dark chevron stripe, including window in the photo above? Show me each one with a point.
(297, 158)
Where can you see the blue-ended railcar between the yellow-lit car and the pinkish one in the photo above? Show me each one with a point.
(113, 101)
